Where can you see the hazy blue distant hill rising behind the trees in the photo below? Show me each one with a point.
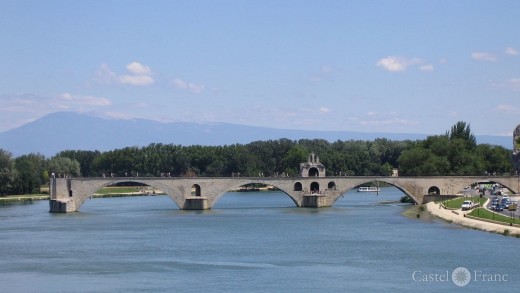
(73, 131)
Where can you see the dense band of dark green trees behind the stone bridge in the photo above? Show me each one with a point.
(453, 153)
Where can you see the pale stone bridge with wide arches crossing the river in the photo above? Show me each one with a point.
(200, 193)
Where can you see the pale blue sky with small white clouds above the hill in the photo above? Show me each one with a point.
(371, 66)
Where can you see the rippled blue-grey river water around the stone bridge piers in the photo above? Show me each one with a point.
(249, 242)
